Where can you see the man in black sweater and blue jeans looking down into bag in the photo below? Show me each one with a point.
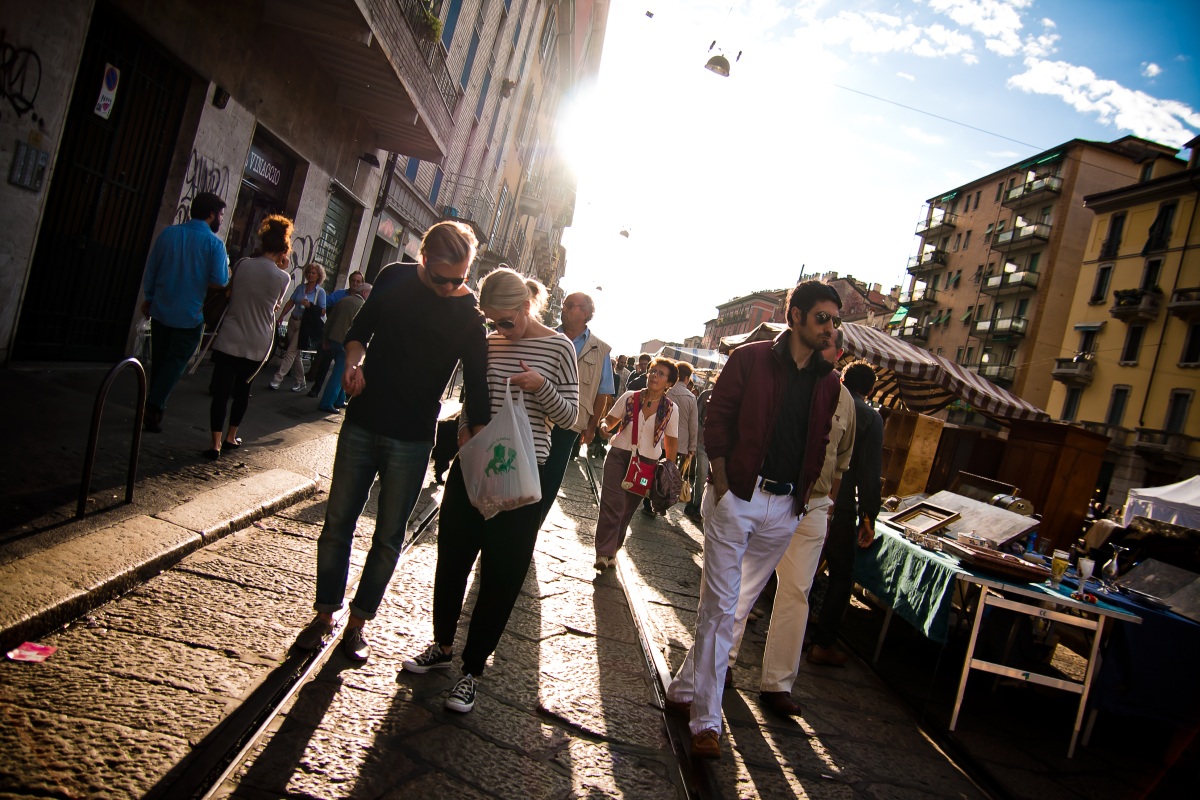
(400, 353)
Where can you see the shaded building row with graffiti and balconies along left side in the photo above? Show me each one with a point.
(365, 122)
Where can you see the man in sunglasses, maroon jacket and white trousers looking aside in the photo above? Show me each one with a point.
(766, 432)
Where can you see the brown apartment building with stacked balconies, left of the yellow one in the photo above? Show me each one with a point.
(1001, 255)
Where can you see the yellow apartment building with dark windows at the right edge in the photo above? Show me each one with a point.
(1130, 362)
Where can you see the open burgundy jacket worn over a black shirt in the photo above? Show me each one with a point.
(743, 410)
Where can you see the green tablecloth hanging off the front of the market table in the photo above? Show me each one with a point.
(916, 584)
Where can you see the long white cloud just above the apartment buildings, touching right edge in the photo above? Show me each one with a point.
(1161, 121)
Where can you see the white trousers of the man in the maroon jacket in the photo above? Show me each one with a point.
(743, 543)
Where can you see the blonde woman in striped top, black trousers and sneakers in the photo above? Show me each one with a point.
(541, 363)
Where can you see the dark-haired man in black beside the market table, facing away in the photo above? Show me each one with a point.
(854, 516)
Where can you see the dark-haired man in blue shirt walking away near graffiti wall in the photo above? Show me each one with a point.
(185, 262)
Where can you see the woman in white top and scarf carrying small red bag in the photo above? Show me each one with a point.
(651, 417)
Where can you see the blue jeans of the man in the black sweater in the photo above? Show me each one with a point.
(401, 467)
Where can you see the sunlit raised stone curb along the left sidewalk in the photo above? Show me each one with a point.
(51, 588)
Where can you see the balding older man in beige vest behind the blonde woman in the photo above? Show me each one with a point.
(597, 389)
